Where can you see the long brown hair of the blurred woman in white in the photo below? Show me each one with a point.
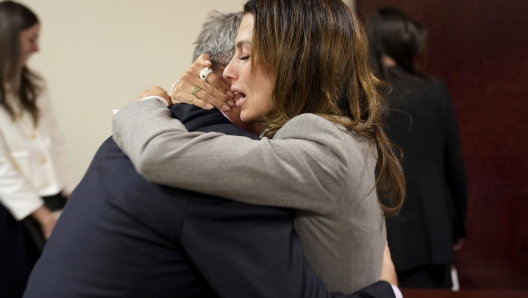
(14, 18)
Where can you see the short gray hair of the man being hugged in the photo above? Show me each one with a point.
(217, 37)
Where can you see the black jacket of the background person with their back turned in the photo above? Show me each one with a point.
(423, 124)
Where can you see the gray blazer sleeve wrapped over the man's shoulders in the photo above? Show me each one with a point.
(301, 171)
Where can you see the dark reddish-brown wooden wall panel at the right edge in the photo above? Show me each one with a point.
(480, 49)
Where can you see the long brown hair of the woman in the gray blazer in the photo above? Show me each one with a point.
(318, 52)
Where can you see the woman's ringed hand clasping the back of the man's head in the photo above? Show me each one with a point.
(213, 92)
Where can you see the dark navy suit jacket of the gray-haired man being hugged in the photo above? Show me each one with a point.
(122, 236)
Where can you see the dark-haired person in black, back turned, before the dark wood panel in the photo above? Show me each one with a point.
(421, 121)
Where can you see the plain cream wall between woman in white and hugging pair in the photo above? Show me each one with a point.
(98, 55)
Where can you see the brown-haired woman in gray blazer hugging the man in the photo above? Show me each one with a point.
(301, 68)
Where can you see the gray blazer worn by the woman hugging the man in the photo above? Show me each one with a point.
(312, 165)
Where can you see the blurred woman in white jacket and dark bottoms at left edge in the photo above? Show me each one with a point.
(34, 175)
